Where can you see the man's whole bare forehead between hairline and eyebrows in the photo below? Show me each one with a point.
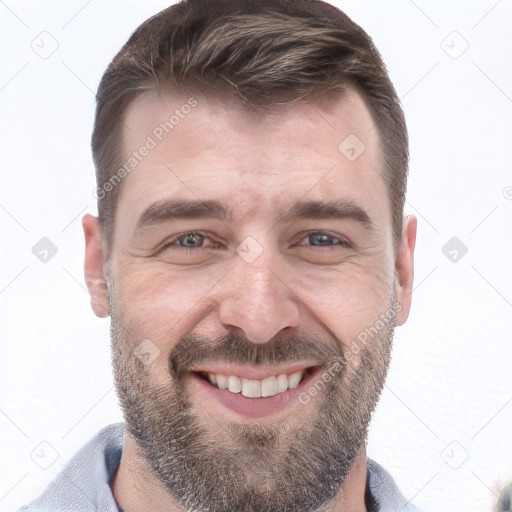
(258, 162)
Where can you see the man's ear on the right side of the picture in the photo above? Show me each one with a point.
(404, 269)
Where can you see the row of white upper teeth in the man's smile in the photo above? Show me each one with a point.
(254, 388)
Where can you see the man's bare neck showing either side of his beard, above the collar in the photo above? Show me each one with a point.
(136, 487)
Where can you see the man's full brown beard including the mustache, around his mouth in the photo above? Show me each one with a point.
(296, 464)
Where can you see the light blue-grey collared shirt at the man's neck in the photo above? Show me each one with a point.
(83, 484)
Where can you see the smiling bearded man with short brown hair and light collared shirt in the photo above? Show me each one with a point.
(252, 254)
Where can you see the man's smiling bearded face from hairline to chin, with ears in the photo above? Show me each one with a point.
(253, 264)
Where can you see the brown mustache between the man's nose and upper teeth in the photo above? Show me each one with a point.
(192, 350)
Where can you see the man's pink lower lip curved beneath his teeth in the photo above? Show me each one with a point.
(254, 407)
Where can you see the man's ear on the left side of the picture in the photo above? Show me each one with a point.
(93, 268)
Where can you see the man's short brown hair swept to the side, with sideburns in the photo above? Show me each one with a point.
(260, 49)
